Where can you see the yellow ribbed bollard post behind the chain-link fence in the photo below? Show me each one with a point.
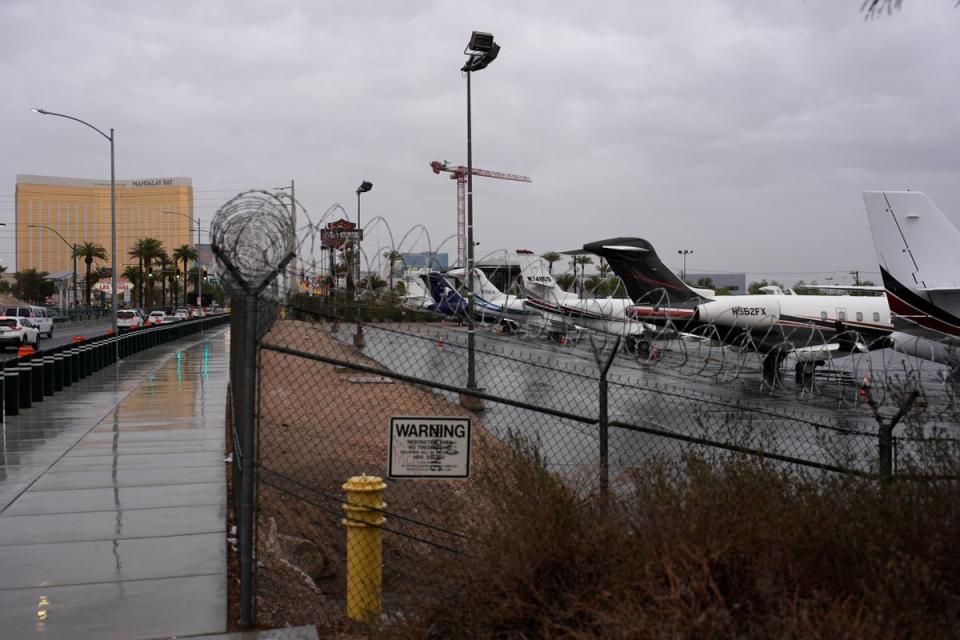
(364, 546)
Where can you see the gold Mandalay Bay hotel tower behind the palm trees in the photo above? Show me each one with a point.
(53, 214)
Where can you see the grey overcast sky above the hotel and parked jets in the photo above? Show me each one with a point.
(744, 130)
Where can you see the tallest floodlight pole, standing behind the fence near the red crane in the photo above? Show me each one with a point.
(481, 51)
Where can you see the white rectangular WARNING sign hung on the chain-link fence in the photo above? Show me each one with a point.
(429, 447)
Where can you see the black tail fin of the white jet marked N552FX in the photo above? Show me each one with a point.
(644, 275)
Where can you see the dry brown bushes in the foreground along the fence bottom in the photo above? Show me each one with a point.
(733, 549)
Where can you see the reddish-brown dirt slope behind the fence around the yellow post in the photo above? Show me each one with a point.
(319, 425)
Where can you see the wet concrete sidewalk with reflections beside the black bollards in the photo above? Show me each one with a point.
(113, 501)
